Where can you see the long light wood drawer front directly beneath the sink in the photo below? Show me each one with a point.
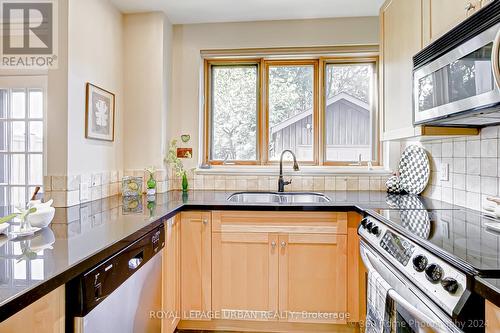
(280, 222)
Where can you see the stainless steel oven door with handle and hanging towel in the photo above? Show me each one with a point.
(409, 310)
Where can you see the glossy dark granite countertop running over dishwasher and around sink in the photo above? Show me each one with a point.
(84, 235)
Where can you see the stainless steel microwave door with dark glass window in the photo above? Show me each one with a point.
(463, 79)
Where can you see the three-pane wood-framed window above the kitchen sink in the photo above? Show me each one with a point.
(323, 109)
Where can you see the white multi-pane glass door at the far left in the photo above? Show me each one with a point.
(21, 142)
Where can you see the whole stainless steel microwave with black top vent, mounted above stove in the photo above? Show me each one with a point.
(456, 79)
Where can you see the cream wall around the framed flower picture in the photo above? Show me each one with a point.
(95, 52)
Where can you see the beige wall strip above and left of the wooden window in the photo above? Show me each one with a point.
(190, 39)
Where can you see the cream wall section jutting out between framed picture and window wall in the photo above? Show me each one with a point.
(147, 52)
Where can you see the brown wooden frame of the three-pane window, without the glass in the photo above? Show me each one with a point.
(319, 107)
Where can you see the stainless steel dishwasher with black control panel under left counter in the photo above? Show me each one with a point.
(119, 294)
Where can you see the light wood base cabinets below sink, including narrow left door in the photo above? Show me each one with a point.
(261, 271)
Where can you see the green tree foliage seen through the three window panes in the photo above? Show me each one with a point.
(235, 96)
